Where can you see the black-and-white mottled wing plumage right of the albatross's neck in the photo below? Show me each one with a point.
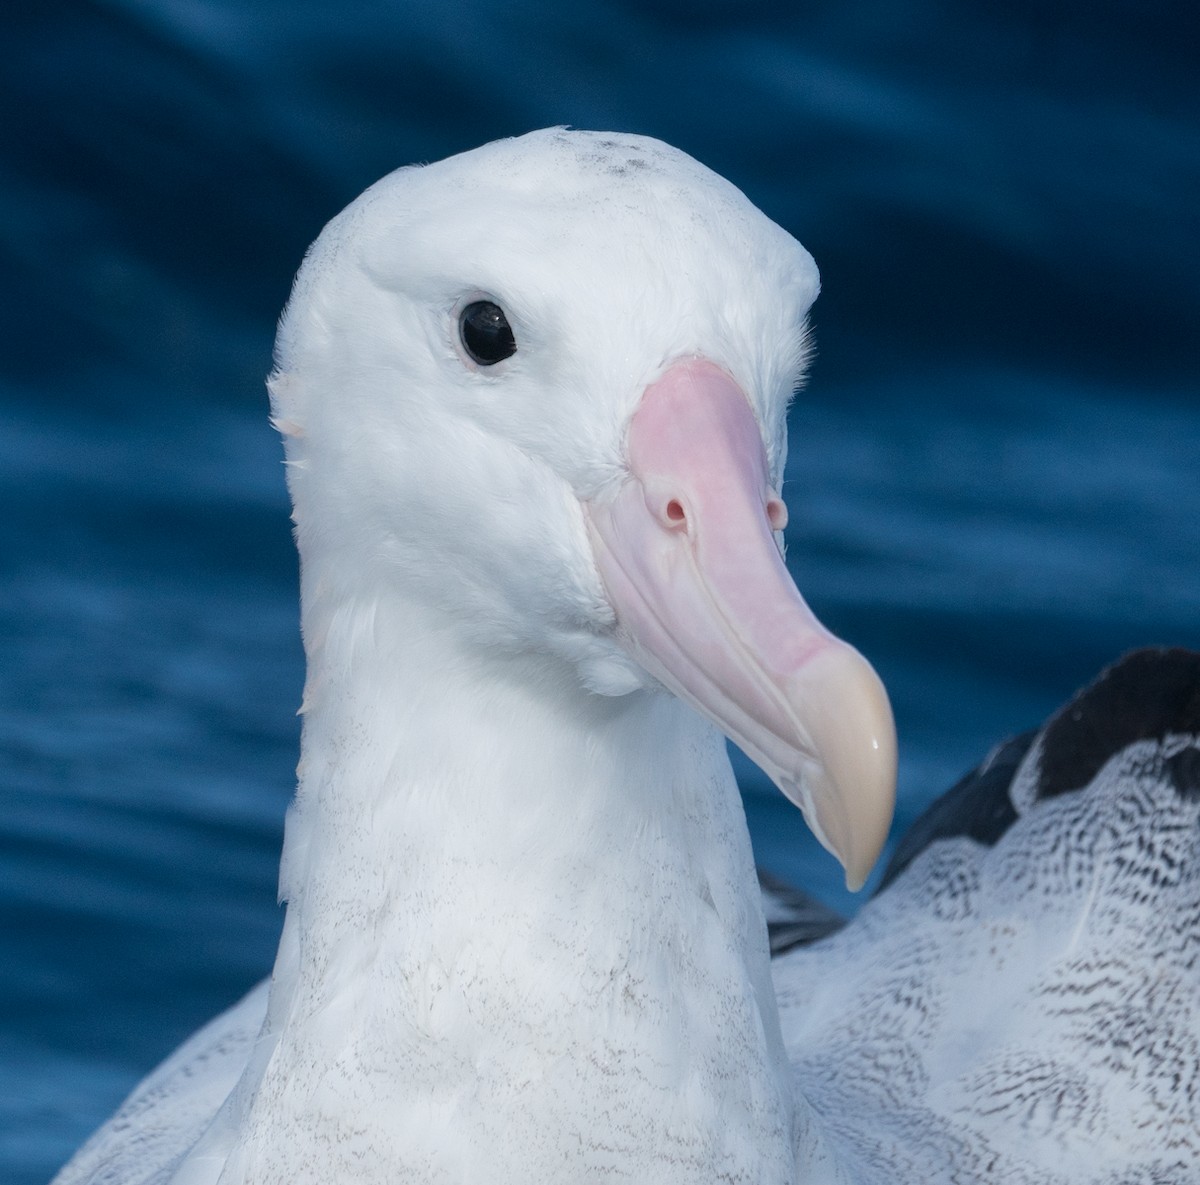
(1025, 1007)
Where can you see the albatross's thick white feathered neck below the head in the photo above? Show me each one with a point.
(524, 939)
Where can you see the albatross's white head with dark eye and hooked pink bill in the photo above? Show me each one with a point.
(605, 496)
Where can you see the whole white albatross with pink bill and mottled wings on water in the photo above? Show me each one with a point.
(533, 404)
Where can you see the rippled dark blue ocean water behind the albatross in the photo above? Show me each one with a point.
(994, 477)
